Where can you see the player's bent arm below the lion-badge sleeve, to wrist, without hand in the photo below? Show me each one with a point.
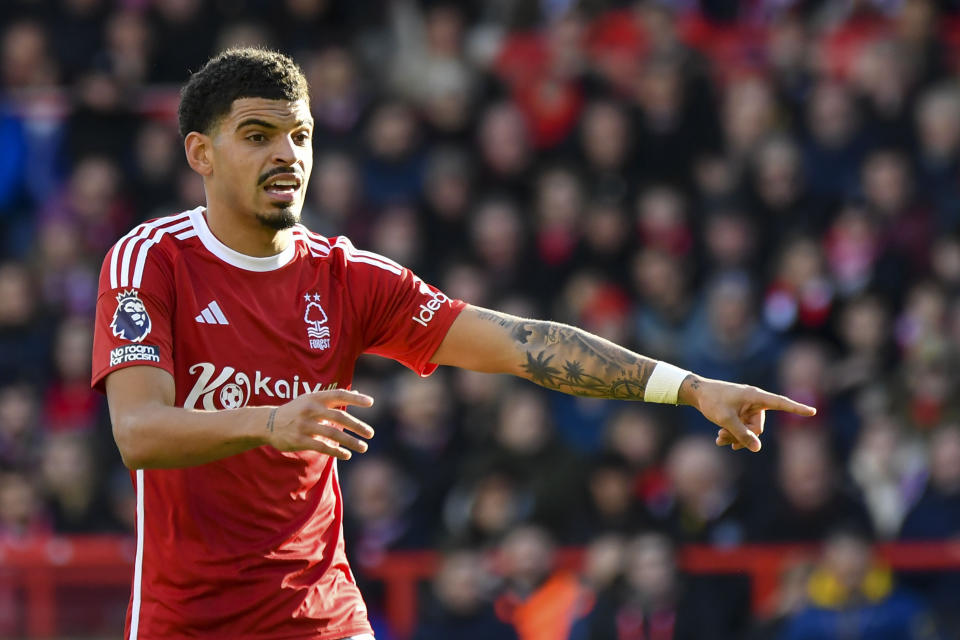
(152, 433)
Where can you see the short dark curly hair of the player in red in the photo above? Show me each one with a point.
(237, 73)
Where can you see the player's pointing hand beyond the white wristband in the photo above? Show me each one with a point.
(739, 410)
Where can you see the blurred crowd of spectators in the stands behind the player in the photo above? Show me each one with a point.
(766, 191)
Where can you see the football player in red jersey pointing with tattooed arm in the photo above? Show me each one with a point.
(226, 338)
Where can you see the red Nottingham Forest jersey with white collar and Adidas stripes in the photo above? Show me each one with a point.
(251, 546)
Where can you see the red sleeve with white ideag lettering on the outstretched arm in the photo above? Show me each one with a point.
(403, 317)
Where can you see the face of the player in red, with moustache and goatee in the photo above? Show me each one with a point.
(262, 158)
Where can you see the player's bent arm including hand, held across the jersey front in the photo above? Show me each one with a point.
(152, 433)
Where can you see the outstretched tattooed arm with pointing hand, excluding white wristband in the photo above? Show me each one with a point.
(571, 360)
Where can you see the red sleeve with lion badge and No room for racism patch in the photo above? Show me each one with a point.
(135, 303)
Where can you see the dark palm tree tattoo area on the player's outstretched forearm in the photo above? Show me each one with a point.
(567, 359)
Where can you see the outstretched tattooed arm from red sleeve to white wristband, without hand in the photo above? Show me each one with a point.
(551, 354)
